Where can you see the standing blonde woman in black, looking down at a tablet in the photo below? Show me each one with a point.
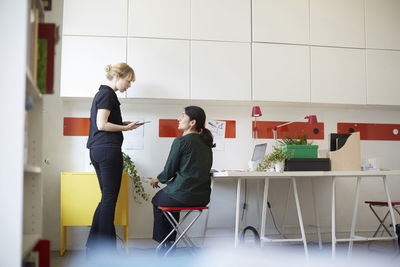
(105, 141)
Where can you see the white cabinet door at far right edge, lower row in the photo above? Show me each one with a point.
(383, 77)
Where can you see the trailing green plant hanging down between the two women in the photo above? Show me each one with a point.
(138, 189)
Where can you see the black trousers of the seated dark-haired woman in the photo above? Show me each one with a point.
(162, 227)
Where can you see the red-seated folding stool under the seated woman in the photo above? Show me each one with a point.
(181, 233)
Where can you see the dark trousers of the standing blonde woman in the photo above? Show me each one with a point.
(108, 164)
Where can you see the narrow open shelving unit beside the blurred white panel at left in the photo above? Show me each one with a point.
(33, 182)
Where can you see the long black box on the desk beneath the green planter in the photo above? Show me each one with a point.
(307, 164)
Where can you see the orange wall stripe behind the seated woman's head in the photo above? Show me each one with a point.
(169, 128)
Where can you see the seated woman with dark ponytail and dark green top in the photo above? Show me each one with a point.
(186, 173)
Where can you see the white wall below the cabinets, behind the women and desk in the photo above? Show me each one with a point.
(70, 154)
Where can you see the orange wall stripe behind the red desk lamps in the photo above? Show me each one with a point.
(294, 130)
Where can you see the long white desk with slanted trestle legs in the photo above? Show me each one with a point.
(310, 174)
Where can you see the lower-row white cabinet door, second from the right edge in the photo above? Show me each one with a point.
(338, 75)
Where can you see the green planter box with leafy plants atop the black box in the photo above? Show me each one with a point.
(299, 147)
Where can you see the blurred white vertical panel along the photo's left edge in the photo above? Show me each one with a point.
(13, 76)
